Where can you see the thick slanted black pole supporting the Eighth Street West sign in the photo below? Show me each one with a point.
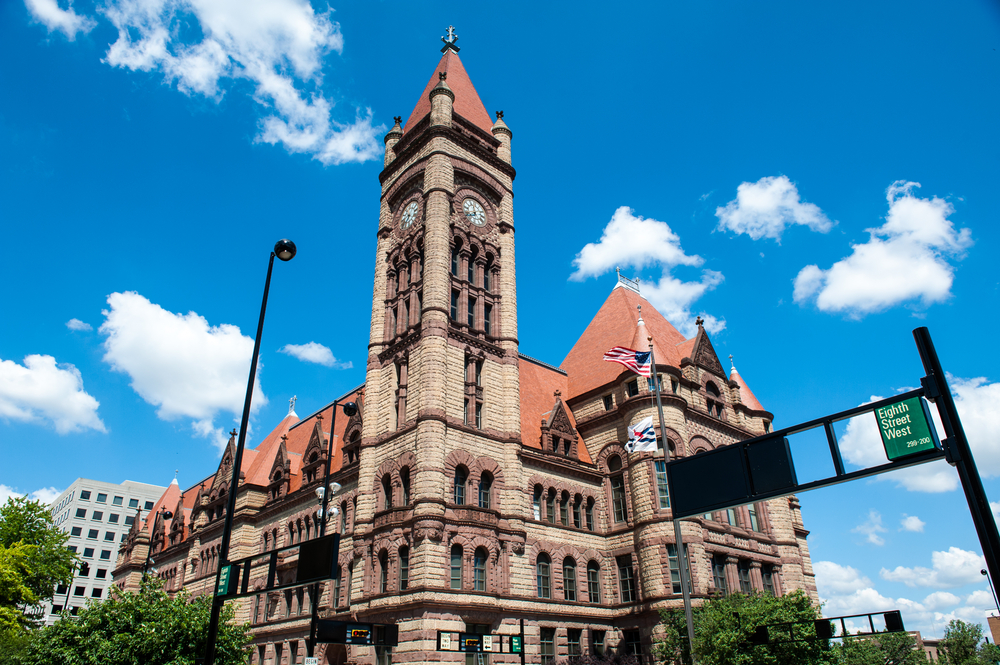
(972, 484)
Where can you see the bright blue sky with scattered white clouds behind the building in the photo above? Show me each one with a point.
(759, 159)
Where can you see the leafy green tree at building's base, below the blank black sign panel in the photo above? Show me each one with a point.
(723, 628)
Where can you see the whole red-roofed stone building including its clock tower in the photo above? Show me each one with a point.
(480, 487)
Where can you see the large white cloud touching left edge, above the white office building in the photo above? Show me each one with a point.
(40, 390)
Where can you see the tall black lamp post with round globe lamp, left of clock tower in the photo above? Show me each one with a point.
(284, 250)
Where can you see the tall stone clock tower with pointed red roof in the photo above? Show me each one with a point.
(442, 425)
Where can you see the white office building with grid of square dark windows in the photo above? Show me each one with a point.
(97, 516)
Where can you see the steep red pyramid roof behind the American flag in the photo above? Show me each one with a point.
(615, 325)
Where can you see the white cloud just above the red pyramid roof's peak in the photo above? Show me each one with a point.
(632, 241)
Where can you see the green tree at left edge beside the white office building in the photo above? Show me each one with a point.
(48, 561)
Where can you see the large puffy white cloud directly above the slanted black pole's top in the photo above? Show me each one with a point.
(905, 260)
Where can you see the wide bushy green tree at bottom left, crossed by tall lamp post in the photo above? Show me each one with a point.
(144, 628)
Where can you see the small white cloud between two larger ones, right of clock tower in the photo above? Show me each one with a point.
(764, 208)
